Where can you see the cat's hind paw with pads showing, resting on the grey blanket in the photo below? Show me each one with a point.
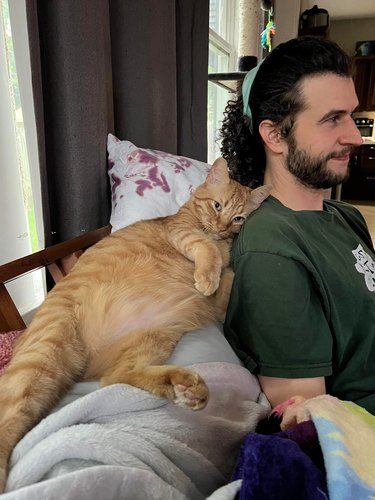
(190, 390)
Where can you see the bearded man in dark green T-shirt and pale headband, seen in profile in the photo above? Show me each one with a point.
(302, 308)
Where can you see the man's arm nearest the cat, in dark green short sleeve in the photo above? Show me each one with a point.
(277, 321)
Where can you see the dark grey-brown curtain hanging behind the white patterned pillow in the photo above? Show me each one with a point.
(135, 68)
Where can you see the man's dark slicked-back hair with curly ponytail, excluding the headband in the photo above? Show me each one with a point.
(275, 95)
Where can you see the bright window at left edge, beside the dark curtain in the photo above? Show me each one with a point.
(20, 205)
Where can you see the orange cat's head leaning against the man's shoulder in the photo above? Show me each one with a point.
(223, 204)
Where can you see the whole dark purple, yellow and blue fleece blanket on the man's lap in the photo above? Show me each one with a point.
(326, 451)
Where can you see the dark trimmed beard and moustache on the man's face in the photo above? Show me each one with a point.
(312, 171)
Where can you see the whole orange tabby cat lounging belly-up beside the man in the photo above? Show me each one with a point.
(124, 306)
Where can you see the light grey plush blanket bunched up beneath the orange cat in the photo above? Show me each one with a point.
(120, 442)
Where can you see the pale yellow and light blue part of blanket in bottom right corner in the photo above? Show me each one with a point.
(346, 435)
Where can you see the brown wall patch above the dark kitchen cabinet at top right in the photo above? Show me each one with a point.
(347, 32)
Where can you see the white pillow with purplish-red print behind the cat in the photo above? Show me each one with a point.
(146, 183)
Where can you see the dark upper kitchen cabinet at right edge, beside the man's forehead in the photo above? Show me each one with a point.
(364, 81)
